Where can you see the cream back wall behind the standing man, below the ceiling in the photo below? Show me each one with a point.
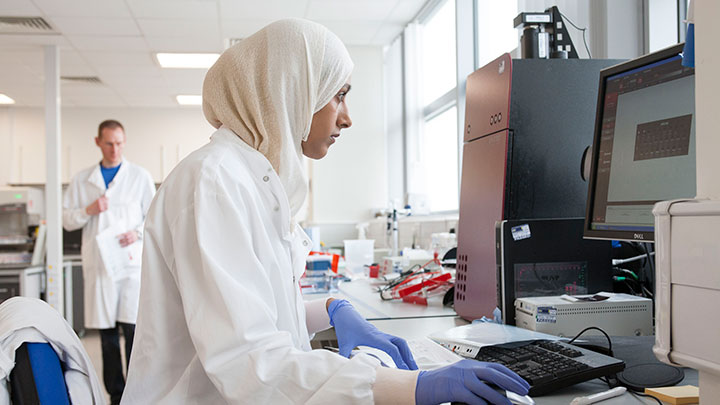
(157, 139)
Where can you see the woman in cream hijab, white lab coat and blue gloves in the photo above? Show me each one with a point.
(221, 316)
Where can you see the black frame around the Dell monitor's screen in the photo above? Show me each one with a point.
(588, 232)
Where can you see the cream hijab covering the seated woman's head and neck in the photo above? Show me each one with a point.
(267, 88)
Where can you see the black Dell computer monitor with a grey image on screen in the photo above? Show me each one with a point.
(644, 145)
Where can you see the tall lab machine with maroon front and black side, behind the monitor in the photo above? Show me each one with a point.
(527, 123)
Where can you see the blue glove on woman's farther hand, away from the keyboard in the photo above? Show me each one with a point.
(353, 330)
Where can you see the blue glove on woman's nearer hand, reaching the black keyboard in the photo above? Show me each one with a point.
(465, 381)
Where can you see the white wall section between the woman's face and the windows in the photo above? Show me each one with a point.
(352, 179)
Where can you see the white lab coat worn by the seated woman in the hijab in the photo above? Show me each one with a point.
(222, 319)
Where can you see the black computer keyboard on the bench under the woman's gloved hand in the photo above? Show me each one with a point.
(547, 365)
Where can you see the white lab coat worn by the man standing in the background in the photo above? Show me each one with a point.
(109, 299)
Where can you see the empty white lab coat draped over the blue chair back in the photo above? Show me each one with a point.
(25, 319)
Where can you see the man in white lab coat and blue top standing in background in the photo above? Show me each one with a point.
(111, 197)
